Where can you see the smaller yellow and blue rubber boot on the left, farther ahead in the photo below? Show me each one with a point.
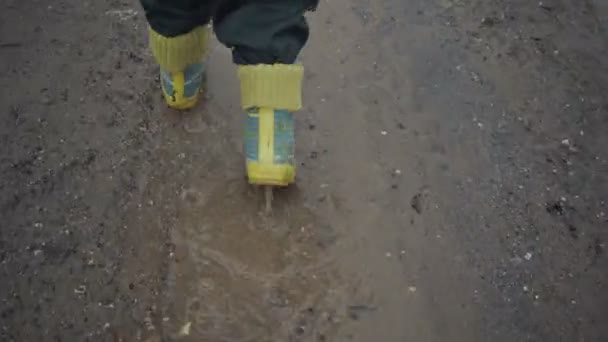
(182, 68)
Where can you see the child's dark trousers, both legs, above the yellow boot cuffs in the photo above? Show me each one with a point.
(257, 31)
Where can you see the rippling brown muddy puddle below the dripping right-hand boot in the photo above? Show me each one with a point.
(240, 275)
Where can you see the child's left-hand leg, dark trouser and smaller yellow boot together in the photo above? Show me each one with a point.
(179, 36)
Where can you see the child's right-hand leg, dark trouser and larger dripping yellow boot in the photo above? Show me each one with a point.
(266, 37)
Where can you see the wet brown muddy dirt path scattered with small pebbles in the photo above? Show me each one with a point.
(452, 184)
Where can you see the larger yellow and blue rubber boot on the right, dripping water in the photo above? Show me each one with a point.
(269, 95)
